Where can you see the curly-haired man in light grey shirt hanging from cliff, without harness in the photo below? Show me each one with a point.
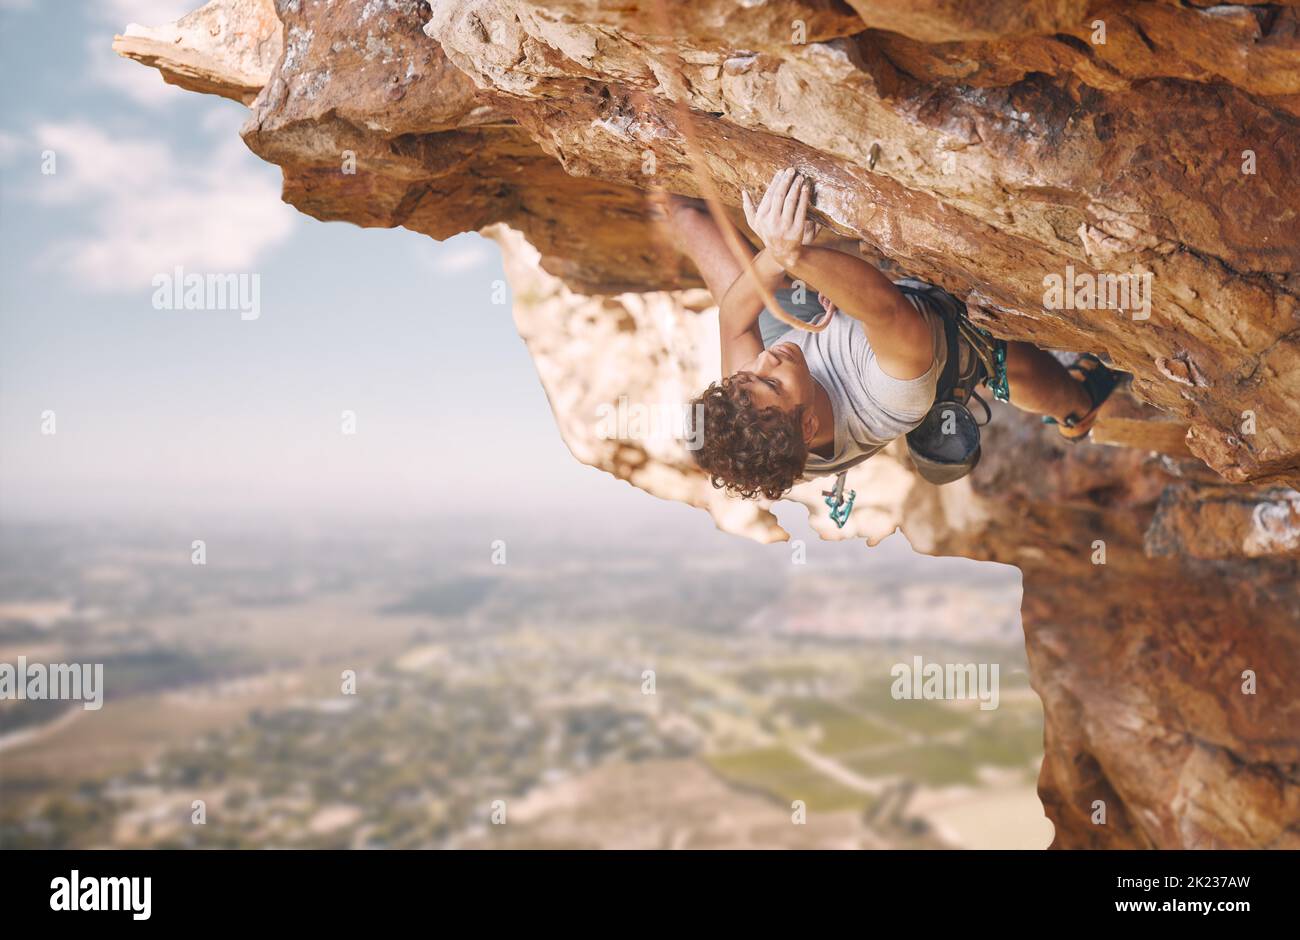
(798, 405)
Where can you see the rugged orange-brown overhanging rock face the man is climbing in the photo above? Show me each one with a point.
(1149, 148)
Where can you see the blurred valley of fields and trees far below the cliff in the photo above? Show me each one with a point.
(521, 688)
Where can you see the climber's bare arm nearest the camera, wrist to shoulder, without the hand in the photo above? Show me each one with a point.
(896, 331)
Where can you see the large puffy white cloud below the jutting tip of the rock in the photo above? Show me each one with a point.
(146, 210)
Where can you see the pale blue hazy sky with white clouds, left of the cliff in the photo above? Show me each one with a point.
(171, 413)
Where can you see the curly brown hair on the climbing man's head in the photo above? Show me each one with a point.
(747, 450)
